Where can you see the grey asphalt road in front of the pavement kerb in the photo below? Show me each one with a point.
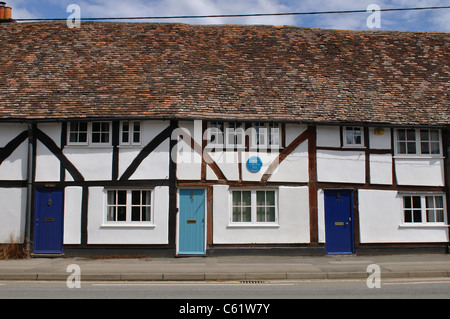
(436, 288)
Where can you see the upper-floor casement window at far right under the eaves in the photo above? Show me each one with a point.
(418, 142)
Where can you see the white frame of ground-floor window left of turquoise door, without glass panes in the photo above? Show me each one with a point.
(128, 221)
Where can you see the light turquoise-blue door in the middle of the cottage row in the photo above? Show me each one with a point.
(191, 229)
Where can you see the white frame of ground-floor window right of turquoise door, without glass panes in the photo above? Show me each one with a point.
(253, 221)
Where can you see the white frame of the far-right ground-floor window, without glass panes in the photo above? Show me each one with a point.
(423, 210)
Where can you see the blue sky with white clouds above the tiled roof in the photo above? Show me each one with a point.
(426, 20)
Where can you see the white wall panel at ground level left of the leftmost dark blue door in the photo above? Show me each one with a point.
(12, 213)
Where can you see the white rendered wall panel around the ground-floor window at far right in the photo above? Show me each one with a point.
(380, 221)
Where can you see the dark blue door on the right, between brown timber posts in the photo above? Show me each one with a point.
(338, 222)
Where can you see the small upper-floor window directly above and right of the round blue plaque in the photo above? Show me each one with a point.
(266, 136)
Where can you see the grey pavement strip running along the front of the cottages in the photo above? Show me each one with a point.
(227, 268)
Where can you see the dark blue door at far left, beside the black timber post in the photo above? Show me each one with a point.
(48, 221)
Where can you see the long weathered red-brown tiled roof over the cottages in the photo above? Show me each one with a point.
(141, 70)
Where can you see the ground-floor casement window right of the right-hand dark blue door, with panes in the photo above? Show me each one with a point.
(423, 209)
